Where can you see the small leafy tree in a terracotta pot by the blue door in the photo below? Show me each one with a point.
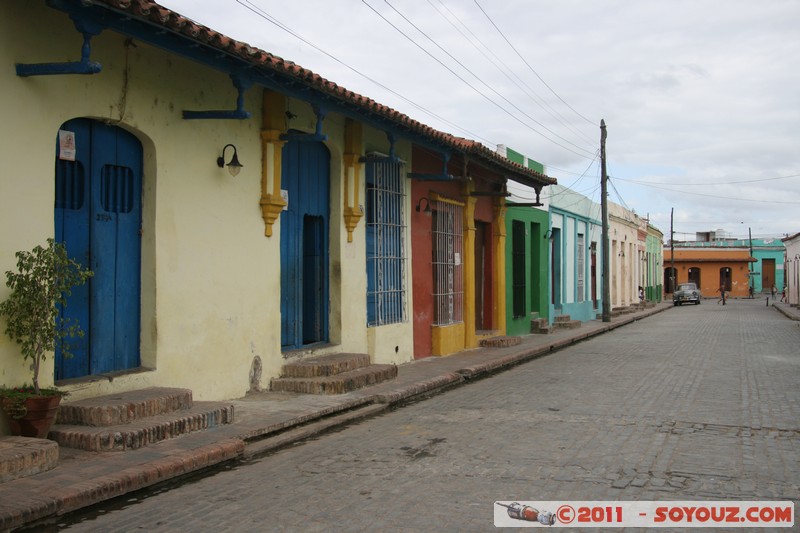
(44, 279)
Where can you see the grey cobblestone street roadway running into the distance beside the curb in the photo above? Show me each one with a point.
(695, 403)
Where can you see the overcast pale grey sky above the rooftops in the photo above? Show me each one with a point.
(701, 98)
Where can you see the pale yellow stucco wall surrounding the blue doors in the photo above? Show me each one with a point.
(210, 277)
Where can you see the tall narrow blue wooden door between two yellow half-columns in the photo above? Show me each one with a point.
(304, 244)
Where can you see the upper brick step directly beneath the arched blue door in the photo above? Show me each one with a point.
(125, 407)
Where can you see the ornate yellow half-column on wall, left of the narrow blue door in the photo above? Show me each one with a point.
(274, 124)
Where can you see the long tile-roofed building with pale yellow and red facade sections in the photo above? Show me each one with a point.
(238, 210)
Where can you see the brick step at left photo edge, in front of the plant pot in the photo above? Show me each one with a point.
(24, 456)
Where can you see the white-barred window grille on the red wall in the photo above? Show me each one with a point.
(448, 280)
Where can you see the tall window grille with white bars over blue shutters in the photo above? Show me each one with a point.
(386, 261)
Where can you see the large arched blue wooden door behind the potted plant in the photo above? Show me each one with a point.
(98, 203)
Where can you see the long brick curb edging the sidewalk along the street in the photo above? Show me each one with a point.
(40, 504)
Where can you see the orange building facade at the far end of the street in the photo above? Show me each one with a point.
(709, 268)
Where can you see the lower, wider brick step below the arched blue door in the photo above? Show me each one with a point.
(143, 431)
